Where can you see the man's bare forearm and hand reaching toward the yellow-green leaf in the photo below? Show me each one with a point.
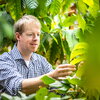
(31, 85)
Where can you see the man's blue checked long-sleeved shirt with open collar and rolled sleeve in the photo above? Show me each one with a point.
(13, 70)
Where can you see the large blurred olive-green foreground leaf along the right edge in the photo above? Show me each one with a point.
(92, 66)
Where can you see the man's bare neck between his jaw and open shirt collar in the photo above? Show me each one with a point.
(25, 54)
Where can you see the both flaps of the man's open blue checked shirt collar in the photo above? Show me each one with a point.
(17, 55)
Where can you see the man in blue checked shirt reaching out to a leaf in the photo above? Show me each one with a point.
(21, 69)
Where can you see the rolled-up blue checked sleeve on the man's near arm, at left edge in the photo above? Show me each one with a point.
(10, 78)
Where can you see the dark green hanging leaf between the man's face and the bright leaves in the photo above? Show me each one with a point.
(55, 52)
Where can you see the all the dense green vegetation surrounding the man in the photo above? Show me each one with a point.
(70, 34)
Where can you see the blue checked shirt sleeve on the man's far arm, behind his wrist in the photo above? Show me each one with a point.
(47, 67)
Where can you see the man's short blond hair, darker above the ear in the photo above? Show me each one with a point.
(19, 26)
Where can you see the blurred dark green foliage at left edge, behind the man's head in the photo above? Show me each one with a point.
(6, 32)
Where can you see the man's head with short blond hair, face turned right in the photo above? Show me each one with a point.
(27, 32)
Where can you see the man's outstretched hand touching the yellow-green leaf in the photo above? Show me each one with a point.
(62, 71)
